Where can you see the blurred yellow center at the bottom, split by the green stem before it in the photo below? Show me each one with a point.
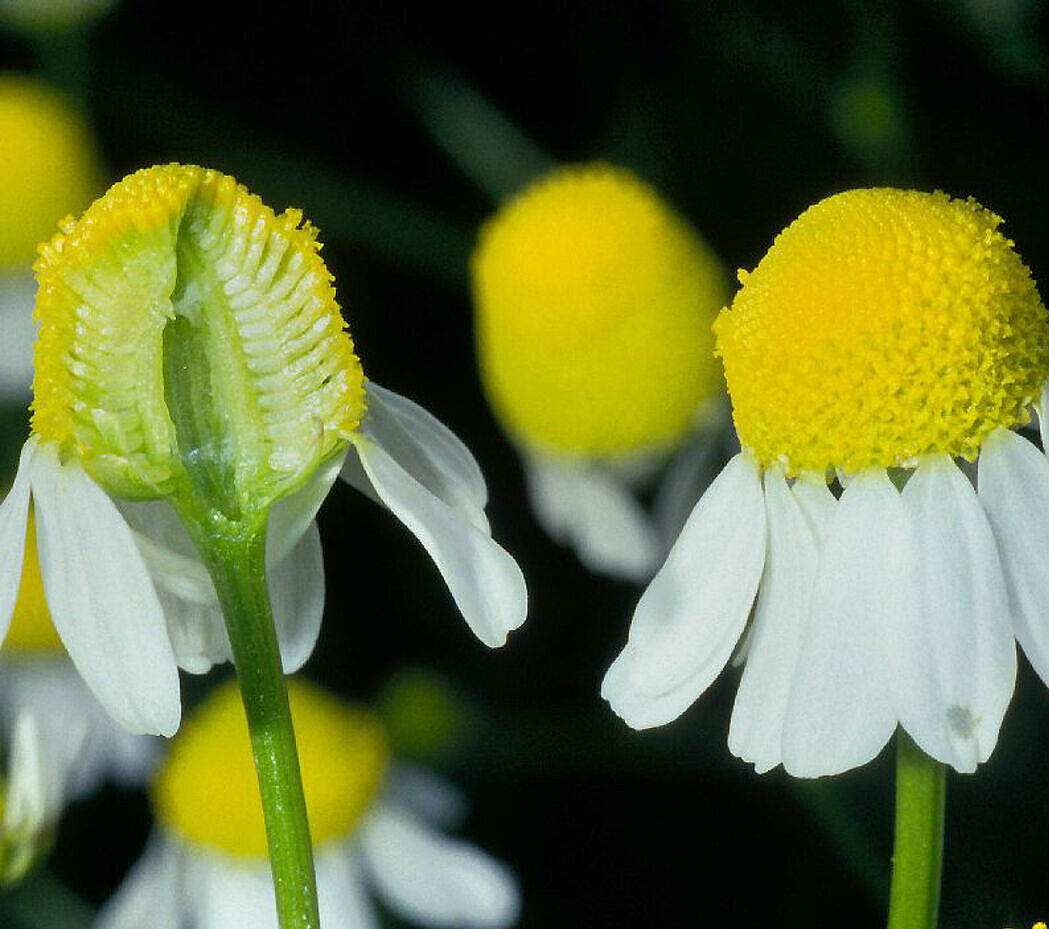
(207, 791)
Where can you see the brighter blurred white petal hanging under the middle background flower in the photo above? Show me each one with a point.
(596, 514)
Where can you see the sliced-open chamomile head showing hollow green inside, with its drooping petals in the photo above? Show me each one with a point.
(195, 384)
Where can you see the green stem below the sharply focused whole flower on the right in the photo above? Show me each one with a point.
(914, 900)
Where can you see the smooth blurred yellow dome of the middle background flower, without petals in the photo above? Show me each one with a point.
(594, 303)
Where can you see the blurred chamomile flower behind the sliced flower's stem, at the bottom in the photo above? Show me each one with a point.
(206, 867)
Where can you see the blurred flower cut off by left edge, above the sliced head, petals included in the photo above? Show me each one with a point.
(50, 167)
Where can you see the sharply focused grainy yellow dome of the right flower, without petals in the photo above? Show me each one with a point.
(883, 326)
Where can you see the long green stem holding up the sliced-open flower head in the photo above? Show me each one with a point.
(238, 567)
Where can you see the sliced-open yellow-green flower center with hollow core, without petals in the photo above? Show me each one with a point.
(190, 337)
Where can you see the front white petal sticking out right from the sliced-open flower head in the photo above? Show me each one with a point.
(485, 581)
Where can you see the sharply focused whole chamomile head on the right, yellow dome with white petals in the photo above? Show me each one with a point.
(887, 336)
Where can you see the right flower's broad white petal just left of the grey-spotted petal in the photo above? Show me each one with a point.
(840, 716)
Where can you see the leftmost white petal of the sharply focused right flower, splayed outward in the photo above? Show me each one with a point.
(694, 612)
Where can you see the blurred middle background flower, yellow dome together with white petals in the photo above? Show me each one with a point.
(594, 304)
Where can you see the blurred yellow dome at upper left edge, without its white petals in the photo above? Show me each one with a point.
(48, 163)
